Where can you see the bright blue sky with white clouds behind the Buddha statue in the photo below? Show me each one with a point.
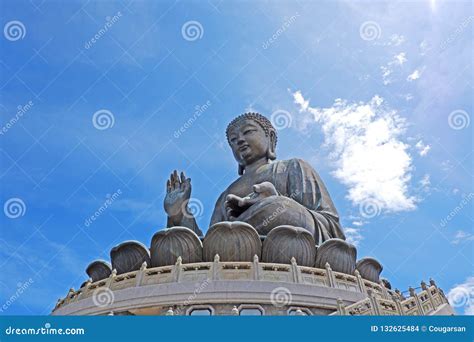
(374, 96)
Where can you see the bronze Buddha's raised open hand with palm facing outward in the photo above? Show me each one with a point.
(178, 191)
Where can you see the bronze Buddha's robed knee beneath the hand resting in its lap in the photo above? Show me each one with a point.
(275, 211)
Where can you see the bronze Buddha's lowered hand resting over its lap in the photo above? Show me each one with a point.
(236, 205)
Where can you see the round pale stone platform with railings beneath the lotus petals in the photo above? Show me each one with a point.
(254, 288)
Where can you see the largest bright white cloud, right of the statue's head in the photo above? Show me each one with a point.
(369, 156)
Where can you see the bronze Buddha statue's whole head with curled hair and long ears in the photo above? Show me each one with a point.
(251, 137)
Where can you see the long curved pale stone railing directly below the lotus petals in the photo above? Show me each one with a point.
(217, 270)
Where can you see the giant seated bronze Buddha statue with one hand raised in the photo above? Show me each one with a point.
(268, 193)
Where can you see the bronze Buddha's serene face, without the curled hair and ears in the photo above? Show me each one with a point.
(248, 142)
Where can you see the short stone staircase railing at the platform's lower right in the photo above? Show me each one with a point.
(427, 302)
